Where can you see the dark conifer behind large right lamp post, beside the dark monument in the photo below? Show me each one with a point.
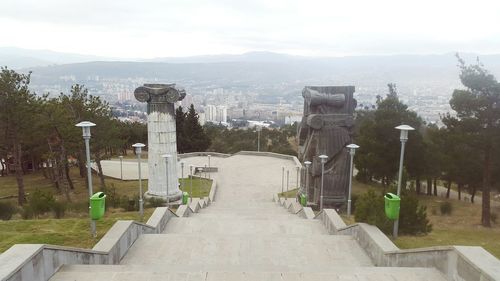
(379, 142)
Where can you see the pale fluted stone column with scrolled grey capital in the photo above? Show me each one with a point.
(160, 99)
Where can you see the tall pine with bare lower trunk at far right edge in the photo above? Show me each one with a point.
(478, 118)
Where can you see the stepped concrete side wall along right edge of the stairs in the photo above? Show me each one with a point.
(455, 262)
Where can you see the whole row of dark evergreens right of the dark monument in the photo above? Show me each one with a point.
(462, 151)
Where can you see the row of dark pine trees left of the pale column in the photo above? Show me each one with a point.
(38, 131)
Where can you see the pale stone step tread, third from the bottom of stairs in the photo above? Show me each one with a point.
(208, 224)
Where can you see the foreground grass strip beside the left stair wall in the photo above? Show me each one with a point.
(73, 232)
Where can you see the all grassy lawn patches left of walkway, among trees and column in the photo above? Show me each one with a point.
(73, 229)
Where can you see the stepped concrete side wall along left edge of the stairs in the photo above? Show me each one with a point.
(38, 262)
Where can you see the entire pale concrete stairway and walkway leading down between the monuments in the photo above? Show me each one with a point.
(243, 235)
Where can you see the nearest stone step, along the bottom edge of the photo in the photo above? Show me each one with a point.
(134, 273)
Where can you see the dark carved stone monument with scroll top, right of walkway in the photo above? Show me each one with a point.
(326, 128)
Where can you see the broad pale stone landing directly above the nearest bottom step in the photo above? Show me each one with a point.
(257, 251)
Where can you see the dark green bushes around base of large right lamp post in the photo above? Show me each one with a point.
(412, 217)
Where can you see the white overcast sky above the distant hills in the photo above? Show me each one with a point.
(154, 28)
